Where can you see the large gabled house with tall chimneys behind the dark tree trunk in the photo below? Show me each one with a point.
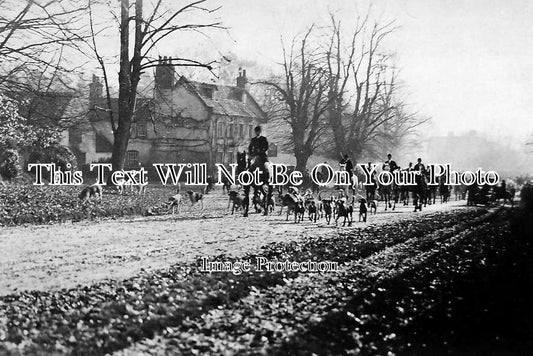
(185, 121)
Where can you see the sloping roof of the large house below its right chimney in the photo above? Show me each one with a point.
(225, 99)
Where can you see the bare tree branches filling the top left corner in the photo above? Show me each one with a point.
(33, 35)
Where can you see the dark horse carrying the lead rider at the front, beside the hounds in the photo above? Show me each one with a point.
(262, 196)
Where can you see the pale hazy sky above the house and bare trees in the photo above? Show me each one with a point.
(466, 64)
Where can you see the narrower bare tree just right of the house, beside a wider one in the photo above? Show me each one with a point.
(300, 98)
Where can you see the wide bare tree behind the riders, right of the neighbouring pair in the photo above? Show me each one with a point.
(366, 112)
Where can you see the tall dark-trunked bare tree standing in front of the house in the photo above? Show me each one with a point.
(150, 28)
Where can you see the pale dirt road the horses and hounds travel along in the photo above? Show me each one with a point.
(63, 256)
